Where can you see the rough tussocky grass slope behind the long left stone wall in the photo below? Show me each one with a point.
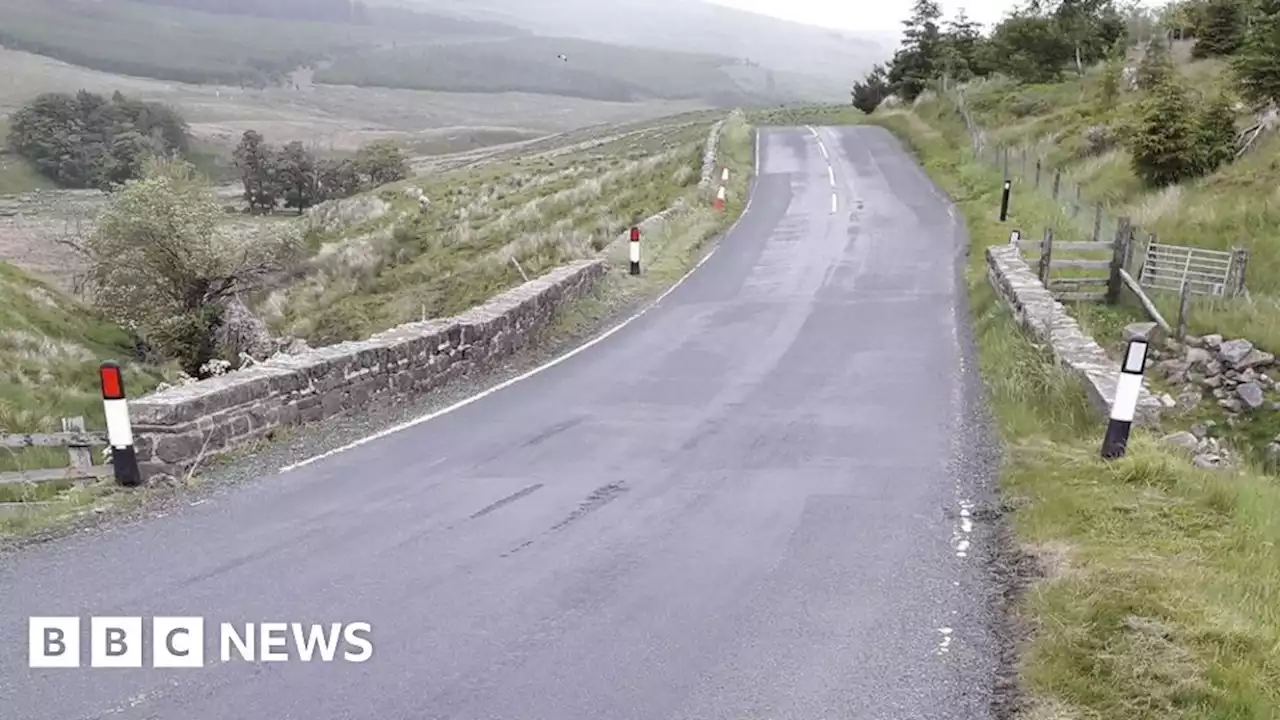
(540, 211)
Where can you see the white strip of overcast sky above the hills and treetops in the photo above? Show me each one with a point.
(866, 15)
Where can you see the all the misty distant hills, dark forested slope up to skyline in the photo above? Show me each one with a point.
(620, 52)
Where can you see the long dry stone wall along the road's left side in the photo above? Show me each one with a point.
(176, 427)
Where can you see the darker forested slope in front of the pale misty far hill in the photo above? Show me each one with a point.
(159, 39)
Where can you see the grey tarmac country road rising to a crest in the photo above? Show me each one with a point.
(747, 504)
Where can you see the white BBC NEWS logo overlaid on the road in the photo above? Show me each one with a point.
(180, 642)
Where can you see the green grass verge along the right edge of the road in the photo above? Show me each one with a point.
(1160, 582)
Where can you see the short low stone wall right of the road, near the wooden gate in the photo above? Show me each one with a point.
(1048, 321)
